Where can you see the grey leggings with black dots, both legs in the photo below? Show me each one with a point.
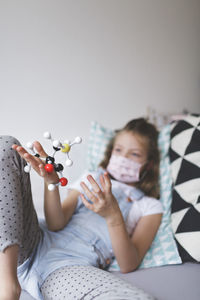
(19, 225)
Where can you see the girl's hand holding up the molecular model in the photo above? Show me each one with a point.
(36, 163)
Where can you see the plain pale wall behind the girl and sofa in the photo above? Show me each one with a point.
(64, 63)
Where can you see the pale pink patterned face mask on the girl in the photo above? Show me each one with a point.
(124, 169)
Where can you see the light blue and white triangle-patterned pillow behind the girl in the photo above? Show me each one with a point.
(163, 250)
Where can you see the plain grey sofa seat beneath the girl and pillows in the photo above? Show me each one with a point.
(172, 282)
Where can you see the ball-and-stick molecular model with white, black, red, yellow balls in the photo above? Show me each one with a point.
(50, 164)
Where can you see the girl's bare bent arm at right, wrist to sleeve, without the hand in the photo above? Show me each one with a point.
(130, 251)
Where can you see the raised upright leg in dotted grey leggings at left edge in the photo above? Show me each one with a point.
(18, 220)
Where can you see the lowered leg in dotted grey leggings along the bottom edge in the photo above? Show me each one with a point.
(87, 283)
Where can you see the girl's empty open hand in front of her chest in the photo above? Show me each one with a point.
(103, 201)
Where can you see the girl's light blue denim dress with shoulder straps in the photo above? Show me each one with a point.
(84, 241)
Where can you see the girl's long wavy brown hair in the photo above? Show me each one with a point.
(150, 172)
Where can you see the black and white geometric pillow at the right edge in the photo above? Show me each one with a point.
(184, 156)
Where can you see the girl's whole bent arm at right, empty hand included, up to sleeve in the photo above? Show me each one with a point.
(129, 251)
